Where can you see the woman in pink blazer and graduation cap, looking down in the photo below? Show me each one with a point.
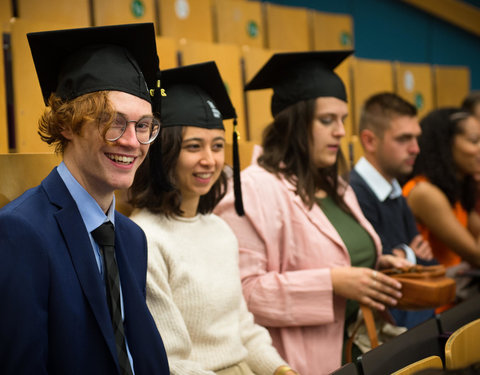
(305, 246)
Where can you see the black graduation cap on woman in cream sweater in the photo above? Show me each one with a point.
(195, 96)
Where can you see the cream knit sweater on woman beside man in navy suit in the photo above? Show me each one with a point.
(194, 294)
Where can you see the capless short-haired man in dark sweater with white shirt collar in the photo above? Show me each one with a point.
(389, 130)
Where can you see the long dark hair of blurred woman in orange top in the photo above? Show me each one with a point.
(435, 160)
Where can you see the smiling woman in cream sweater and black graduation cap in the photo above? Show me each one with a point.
(193, 282)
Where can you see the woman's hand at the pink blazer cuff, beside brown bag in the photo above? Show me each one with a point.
(365, 285)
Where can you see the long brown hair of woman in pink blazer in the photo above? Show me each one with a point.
(287, 144)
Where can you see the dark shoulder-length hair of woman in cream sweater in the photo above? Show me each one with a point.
(150, 190)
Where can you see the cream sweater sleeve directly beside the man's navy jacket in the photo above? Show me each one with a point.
(167, 316)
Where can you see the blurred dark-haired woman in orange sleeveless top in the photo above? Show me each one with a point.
(441, 191)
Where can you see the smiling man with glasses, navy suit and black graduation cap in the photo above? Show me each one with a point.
(73, 295)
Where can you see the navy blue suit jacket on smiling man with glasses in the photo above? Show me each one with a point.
(54, 316)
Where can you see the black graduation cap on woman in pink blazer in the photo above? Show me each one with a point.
(297, 76)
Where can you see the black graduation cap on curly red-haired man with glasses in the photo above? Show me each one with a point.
(75, 62)
